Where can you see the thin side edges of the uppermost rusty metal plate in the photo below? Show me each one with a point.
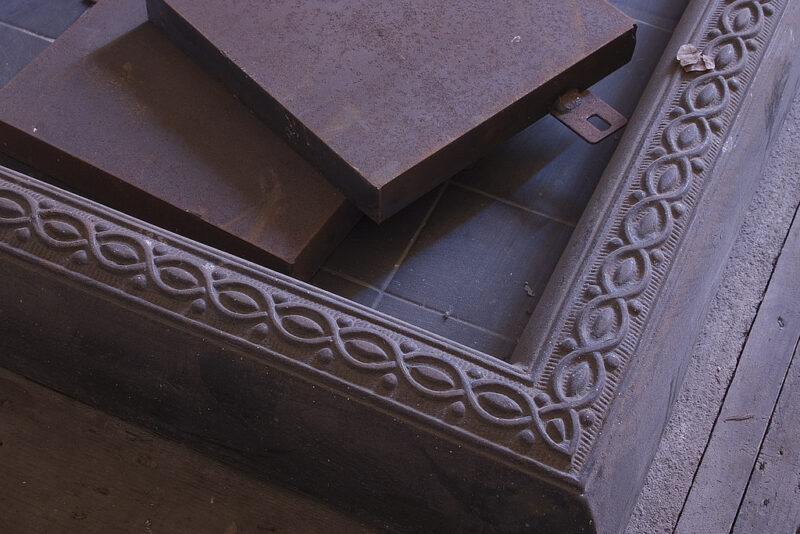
(375, 196)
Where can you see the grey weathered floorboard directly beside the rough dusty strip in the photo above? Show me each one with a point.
(739, 430)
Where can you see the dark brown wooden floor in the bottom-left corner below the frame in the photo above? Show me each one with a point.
(65, 467)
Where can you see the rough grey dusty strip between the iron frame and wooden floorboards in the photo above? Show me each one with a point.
(723, 335)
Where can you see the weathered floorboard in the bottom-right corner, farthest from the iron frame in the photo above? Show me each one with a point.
(772, 501)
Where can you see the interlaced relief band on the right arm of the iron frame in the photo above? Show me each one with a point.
(603, 326)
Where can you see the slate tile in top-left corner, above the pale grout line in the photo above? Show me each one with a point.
(43, 17)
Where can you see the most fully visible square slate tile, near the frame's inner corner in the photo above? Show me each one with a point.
(474, 257)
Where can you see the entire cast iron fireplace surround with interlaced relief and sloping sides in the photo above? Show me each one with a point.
(386, 419)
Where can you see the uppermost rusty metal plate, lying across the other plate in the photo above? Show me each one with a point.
(391, 98)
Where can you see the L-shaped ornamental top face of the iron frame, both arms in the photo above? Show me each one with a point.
(543, 415)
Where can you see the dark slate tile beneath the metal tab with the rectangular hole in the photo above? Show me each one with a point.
(548, 168)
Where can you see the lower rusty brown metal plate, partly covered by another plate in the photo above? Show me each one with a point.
(114, 109)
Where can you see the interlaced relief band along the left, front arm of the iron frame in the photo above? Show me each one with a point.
(283, 320)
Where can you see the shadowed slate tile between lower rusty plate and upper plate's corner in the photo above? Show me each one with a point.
(371, 251)
